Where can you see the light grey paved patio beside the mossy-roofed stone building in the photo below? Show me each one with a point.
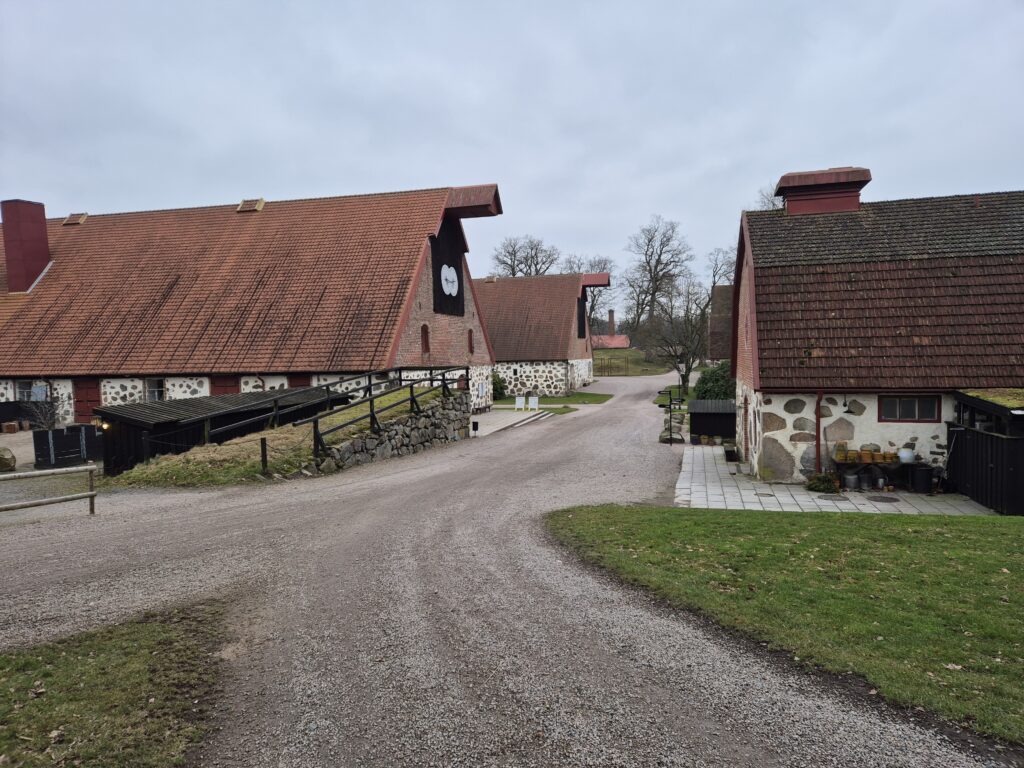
(706, 482)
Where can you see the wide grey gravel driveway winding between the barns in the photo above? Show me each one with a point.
(413, 613)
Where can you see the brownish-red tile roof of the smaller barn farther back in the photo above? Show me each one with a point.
(531, 319)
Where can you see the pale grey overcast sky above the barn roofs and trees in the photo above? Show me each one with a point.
(589, 116)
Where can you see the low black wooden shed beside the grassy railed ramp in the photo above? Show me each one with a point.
(139, 432)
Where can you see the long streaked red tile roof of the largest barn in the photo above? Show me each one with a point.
(300, 286)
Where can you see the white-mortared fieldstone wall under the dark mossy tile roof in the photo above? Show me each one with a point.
(783, 433)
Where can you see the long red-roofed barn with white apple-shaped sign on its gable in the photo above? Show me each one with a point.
(107, 310)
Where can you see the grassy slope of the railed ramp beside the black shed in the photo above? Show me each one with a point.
(238, 461)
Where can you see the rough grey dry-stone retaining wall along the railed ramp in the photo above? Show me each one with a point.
(444, 420)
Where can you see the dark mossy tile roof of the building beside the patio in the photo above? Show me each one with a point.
(922, 294)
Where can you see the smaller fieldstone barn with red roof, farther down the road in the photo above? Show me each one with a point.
(539, 330)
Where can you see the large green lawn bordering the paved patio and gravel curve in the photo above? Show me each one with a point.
(930, 611)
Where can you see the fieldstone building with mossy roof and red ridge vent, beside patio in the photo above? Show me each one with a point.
(866, 322)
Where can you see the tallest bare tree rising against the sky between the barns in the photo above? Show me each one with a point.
(662, 254)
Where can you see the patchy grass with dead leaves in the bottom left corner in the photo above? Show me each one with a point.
(132, 696)
